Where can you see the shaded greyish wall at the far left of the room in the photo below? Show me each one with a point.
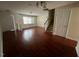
(6, 21)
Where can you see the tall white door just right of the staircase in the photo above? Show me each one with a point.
(61, 21)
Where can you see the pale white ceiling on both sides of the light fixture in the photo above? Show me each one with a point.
(29, 7)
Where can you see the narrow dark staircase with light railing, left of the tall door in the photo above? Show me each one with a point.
(50, 21)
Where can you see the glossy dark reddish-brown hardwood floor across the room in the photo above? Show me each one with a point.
(35, 42)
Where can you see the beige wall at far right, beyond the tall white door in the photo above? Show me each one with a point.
(73, 26)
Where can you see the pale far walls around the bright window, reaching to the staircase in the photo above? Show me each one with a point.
(38, 21)
